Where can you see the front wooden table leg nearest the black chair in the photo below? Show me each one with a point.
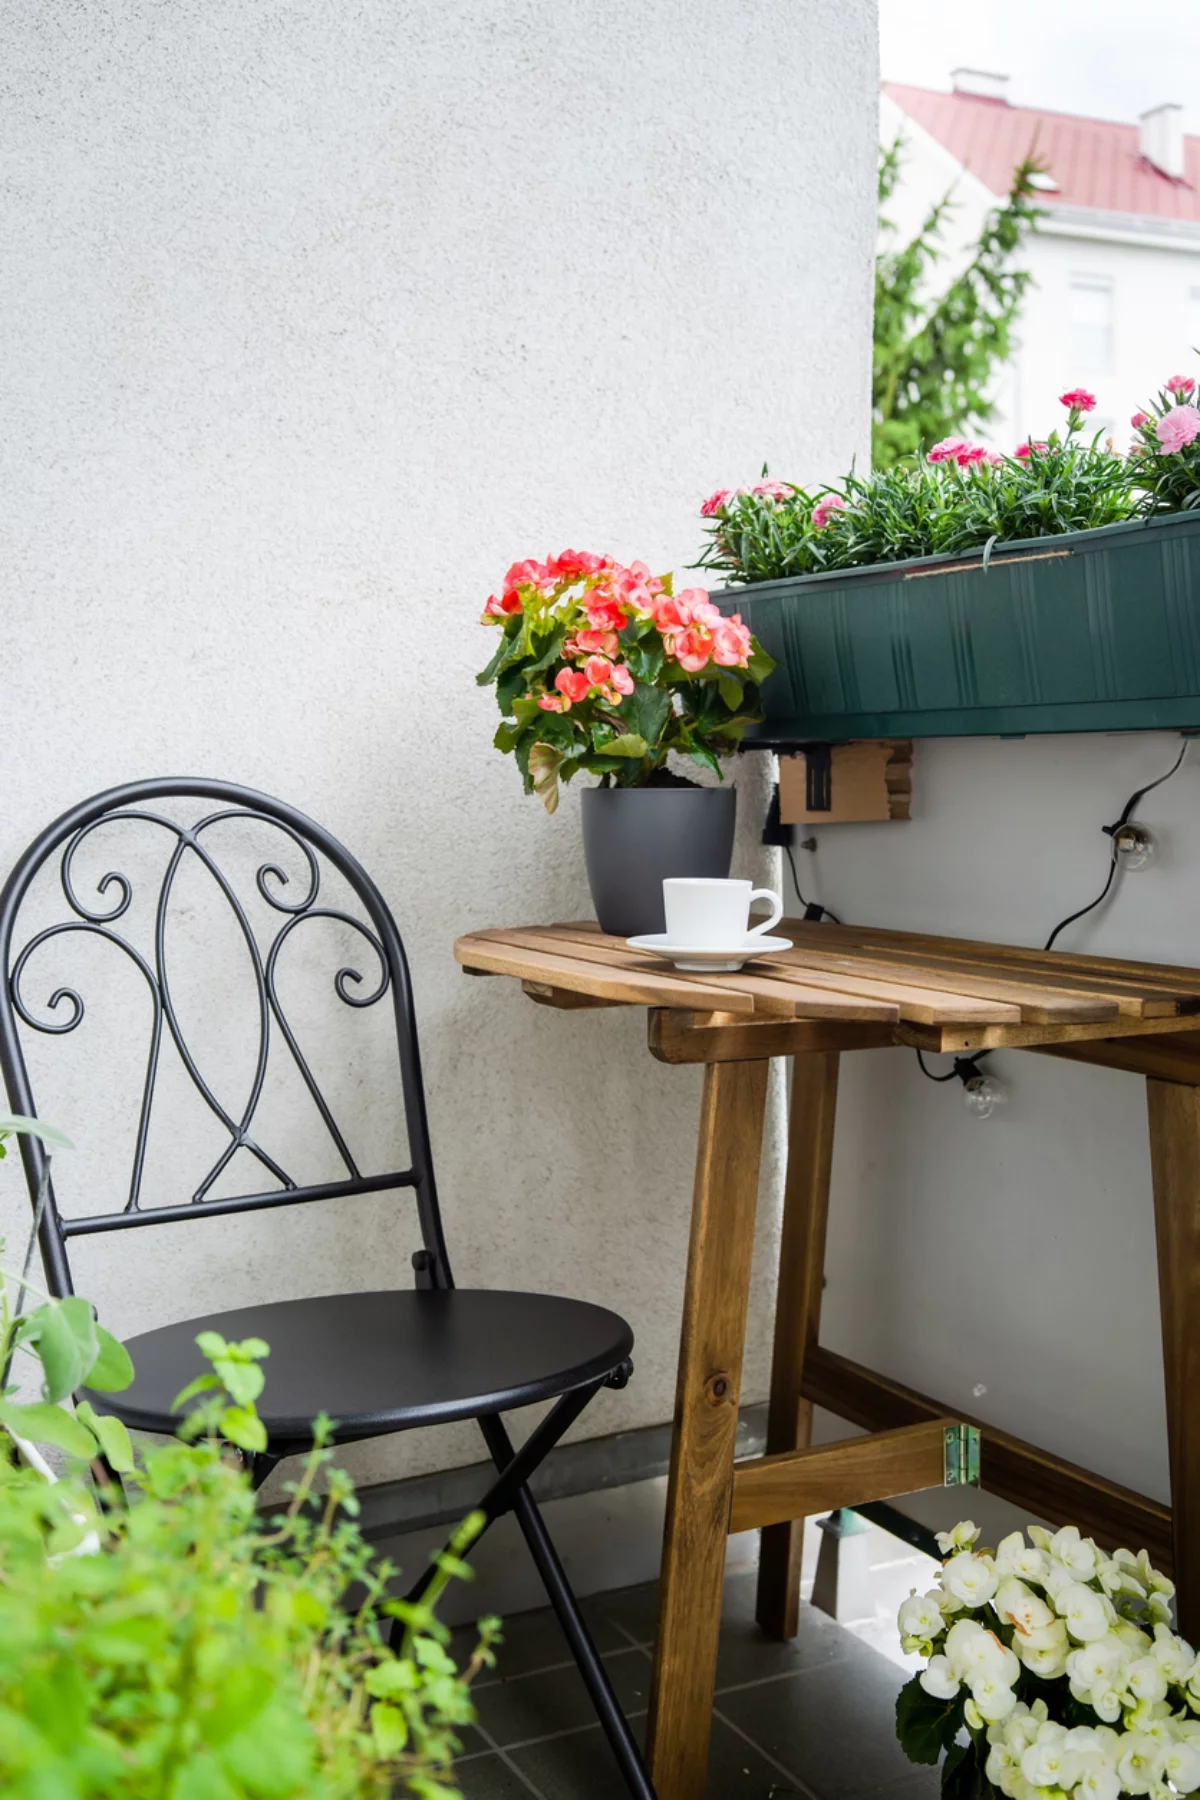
(706, 1426)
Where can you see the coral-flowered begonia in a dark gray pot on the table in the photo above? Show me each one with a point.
(607, 670)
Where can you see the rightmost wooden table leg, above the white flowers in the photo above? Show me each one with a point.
(1176, 1167)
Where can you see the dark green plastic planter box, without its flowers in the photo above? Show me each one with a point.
(1093, 631)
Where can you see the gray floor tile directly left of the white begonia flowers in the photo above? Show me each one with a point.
(832, 1727)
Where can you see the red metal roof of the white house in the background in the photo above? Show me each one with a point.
(1095, 161)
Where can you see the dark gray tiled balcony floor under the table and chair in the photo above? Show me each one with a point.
(810, 1718)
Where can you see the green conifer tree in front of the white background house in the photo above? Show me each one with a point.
(935, 357)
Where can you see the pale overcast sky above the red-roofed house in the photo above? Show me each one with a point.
(1106, 58)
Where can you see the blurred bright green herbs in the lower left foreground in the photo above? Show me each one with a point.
(183, 1648)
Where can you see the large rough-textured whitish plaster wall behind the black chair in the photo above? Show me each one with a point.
(316, 318)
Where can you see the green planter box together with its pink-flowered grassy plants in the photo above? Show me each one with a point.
(969, 593)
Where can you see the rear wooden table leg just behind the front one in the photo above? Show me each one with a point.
(798, 1320)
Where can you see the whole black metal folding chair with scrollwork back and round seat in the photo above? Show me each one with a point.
(377, 1362)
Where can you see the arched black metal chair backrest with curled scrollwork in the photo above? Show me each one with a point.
(219, 843)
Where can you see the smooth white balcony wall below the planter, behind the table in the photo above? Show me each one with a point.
(1008, 1264)
